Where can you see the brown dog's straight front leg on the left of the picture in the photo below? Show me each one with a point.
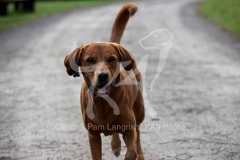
(95, 146)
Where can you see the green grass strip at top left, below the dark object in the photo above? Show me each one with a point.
(42, 8)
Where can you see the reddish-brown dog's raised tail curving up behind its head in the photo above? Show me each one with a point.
(121, 20)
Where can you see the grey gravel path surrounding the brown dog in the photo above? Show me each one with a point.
(196, 96)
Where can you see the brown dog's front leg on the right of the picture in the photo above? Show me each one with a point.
(130, 139)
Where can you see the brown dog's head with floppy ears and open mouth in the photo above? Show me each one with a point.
(99, 63)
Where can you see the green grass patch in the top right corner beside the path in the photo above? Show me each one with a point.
(224, 12)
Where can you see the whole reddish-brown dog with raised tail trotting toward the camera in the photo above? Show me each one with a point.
(111, 99)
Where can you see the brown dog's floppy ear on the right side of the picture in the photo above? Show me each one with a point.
(126, 57)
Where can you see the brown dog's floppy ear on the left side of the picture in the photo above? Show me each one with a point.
(72, 60)
